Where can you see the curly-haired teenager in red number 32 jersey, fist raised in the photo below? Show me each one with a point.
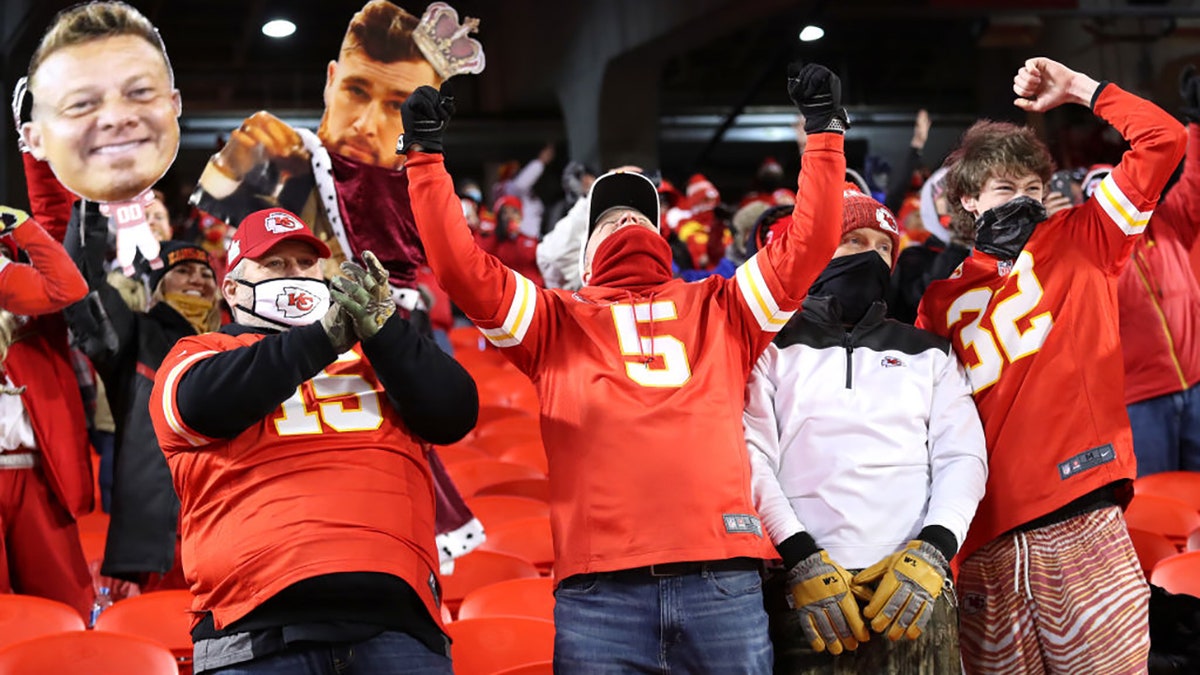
(1049, 581)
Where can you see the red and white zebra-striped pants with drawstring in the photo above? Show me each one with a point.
(1067, 599)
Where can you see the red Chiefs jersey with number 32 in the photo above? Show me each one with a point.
(1040, 336)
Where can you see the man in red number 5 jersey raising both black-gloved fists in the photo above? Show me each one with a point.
(641, 381)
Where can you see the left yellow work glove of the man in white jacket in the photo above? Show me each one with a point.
(820, 593)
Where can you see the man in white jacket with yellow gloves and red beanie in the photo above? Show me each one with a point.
(868, 456)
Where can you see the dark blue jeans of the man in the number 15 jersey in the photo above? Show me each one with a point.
(387, 654)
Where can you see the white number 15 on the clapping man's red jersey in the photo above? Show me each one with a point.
(303, 415)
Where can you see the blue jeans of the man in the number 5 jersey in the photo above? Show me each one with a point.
(632, 623)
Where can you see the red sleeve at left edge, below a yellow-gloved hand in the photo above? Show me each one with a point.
(50, 284)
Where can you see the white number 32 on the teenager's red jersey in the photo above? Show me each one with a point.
(1005, 334)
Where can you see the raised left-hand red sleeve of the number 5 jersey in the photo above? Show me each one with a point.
(507, 307)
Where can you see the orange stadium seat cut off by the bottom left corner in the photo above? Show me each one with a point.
(88, 653)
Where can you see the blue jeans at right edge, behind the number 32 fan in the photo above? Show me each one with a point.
(1167, 433)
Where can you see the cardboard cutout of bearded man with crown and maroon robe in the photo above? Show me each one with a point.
(345, 181)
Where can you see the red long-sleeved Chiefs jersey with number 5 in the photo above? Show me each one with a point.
(641, 395)
